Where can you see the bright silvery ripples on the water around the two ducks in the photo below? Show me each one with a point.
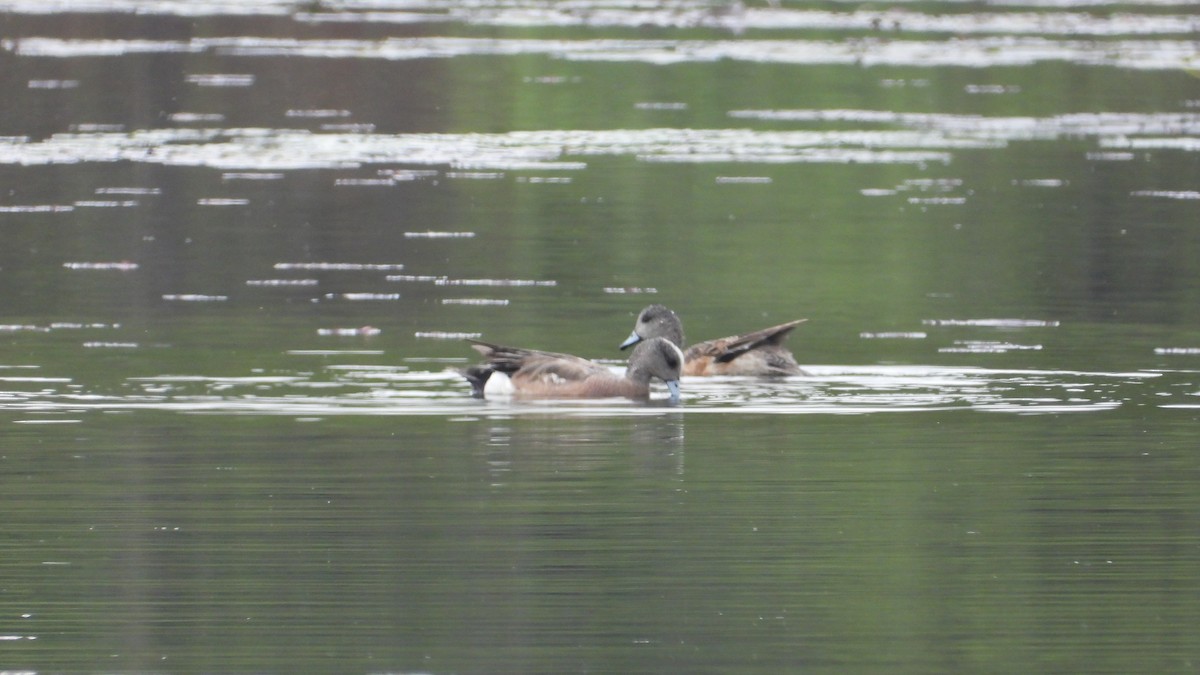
(352, 390)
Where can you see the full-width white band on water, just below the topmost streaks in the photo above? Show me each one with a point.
(981, 52)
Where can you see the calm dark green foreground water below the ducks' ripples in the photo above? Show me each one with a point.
(959, 542)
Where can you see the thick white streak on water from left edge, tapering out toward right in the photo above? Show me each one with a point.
(293, 150)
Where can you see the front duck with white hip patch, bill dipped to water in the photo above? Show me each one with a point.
(531, 374)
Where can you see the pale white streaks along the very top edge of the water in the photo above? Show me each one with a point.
(733, 17)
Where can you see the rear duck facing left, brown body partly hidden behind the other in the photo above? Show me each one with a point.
(761, 353)
